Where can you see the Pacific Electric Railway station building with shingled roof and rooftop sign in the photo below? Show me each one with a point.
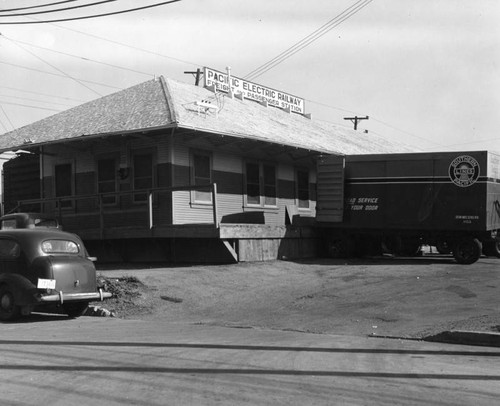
(170, 171)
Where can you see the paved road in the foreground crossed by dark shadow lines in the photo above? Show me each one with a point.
(90, 361)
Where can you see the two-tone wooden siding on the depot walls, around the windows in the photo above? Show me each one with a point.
(173, 168)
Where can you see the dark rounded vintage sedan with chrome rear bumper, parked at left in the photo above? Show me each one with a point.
(45, 270)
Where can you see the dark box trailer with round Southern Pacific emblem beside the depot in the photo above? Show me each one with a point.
(368, 204)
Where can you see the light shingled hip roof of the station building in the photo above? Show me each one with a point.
(166, 103)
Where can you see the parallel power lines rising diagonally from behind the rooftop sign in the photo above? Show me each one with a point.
(309, 39)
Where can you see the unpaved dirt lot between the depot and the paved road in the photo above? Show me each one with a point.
(381, 296)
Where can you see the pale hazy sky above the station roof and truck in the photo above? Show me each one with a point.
(426, 72)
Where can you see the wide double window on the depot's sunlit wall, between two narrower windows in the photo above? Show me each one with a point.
(261, 184)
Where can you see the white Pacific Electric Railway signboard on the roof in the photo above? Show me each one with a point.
(253, 91)
